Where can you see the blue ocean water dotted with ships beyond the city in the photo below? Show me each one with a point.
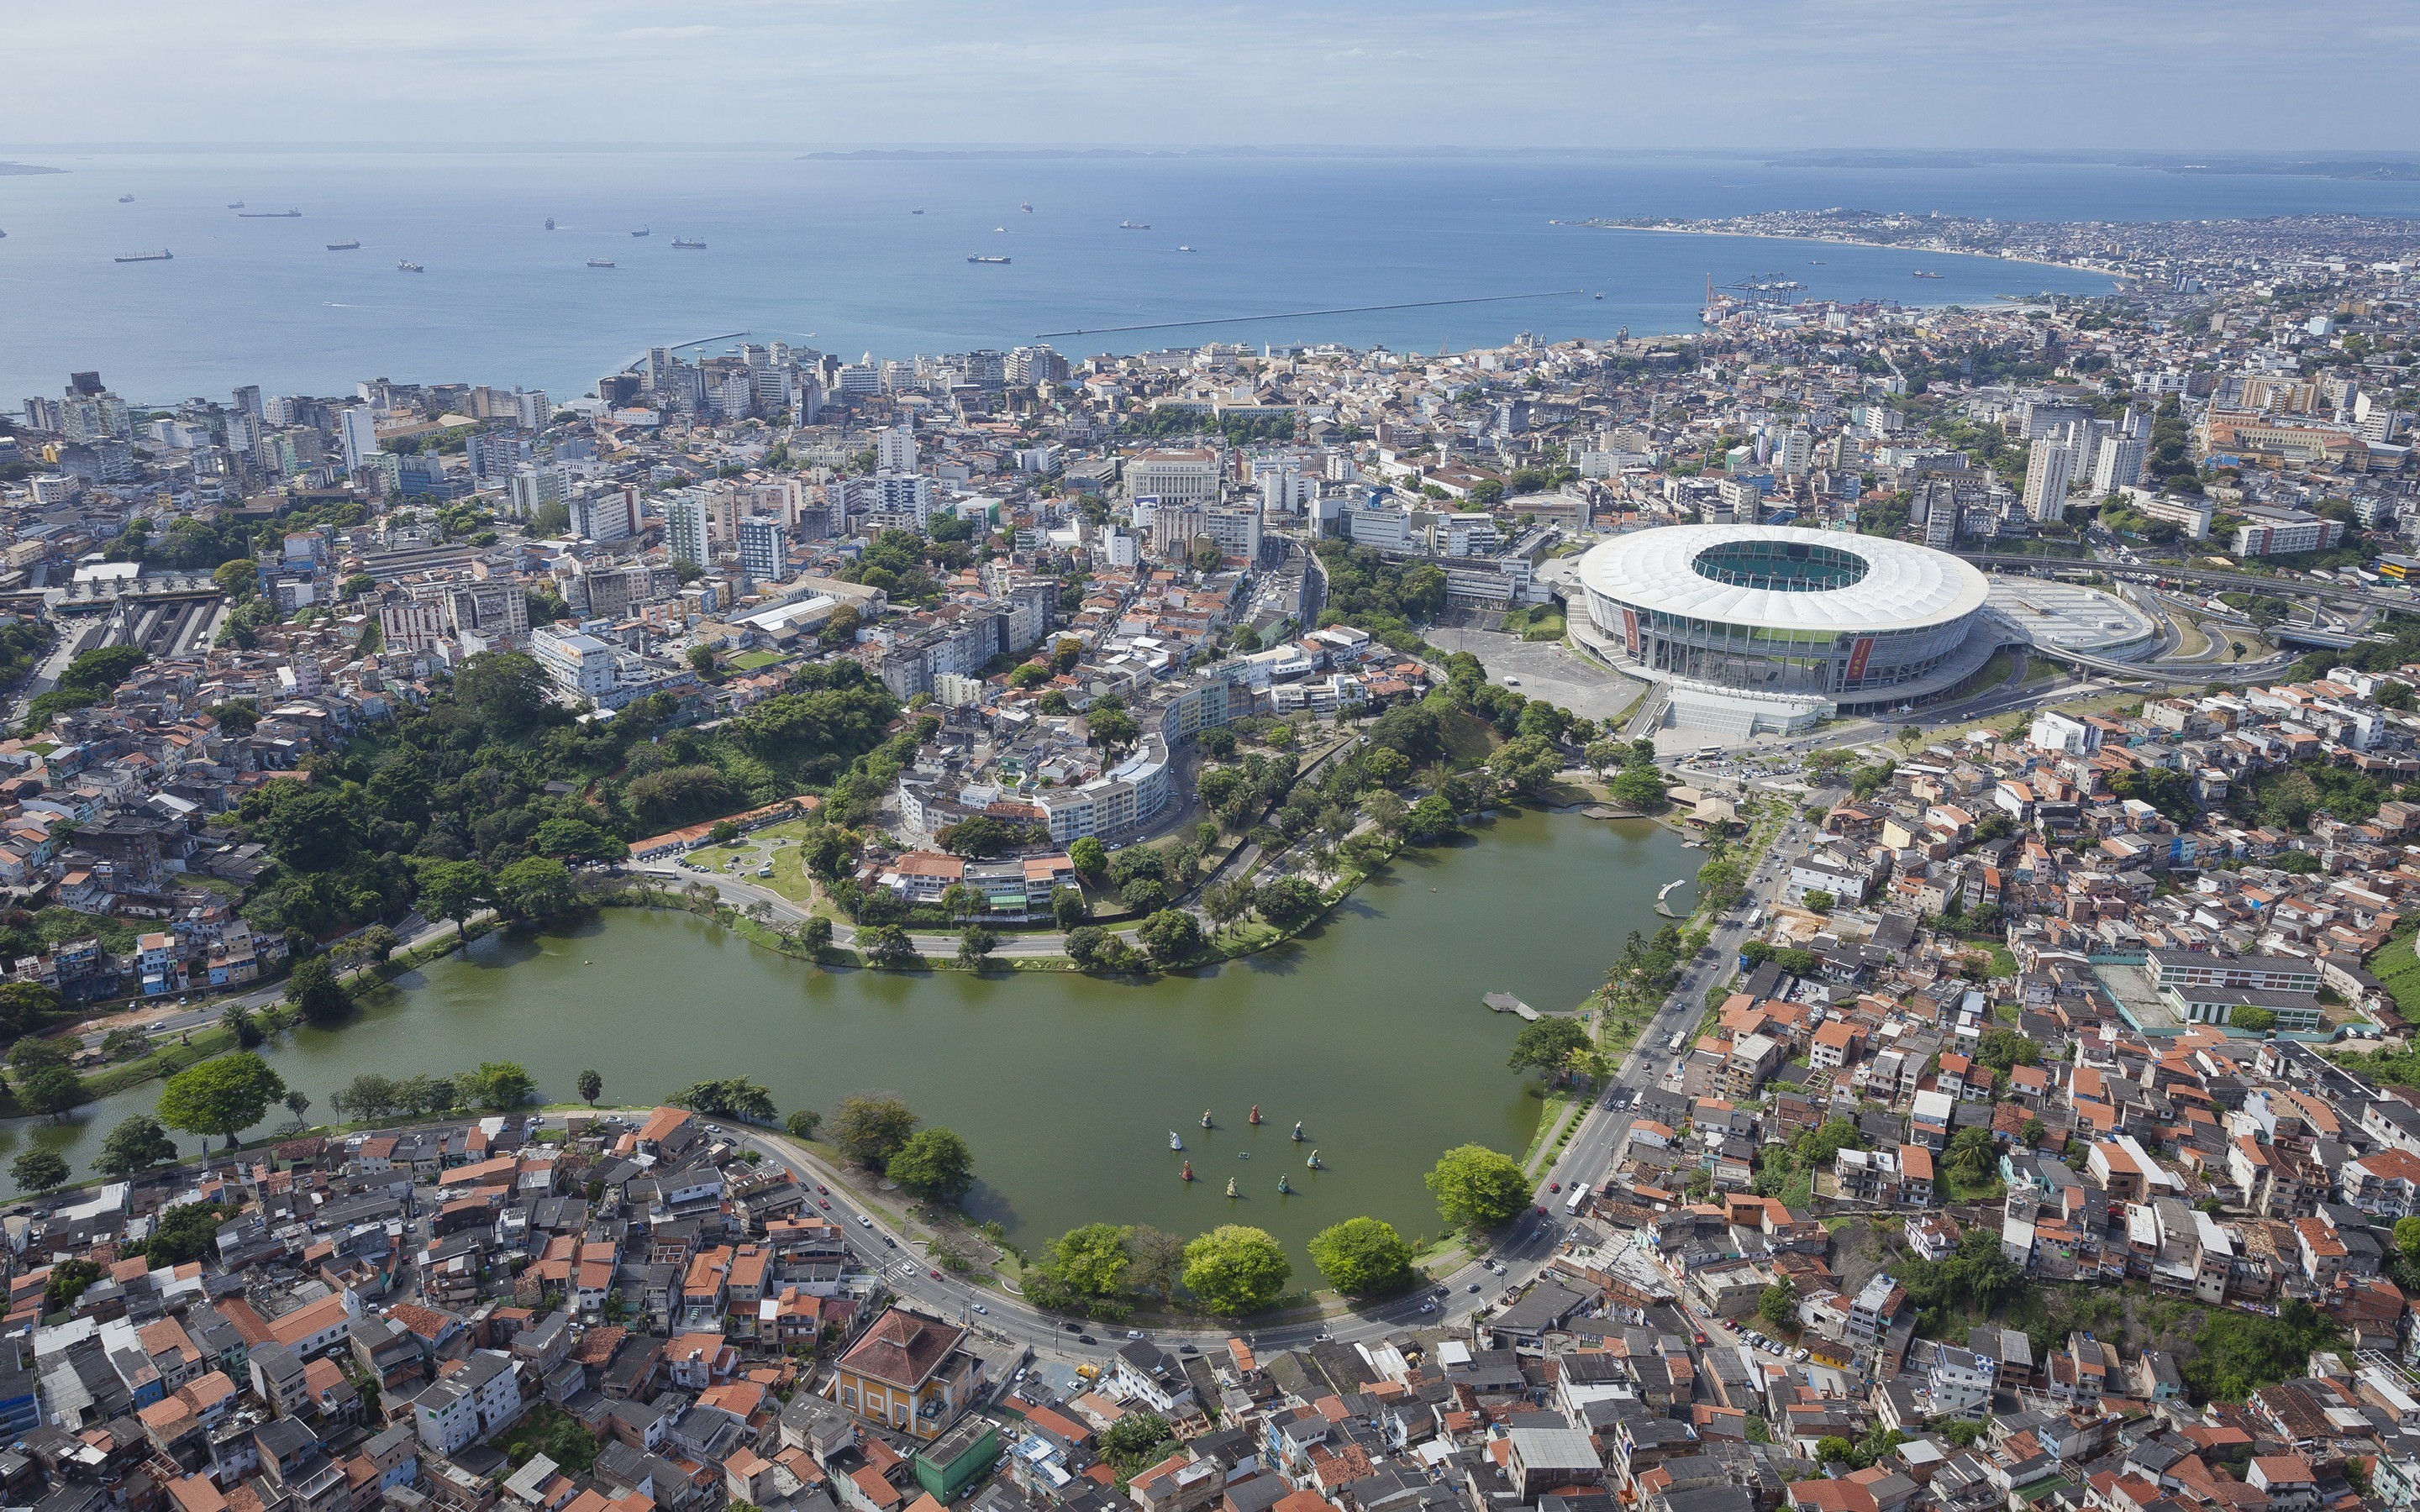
(834, 255)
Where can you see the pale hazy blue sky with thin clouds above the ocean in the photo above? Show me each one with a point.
(1676, 74)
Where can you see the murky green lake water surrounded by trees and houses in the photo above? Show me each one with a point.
(1369, 1032)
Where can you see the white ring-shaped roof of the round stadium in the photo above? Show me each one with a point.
(1903, 589)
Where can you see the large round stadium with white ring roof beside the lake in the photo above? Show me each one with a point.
(1768, 628)
